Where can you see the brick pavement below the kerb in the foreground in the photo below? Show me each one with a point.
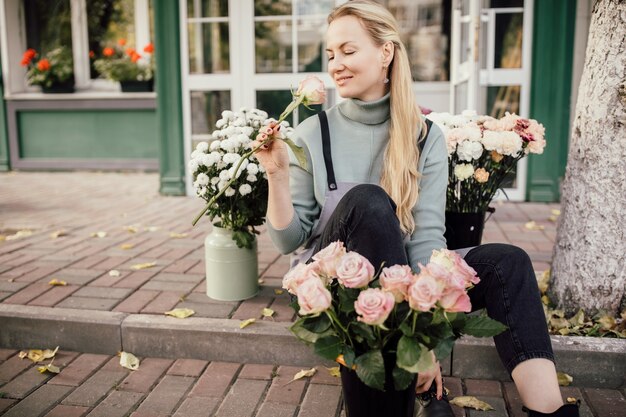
(96, 385)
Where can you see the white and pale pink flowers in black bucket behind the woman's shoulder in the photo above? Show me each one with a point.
(482, 150)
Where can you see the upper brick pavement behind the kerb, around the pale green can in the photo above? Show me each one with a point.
(139, 224)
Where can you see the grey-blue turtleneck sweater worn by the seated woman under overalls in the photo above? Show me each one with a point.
(358, 136)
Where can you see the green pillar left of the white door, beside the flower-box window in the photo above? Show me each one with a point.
(169, 97)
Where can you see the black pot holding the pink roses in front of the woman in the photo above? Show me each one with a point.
(363, 401)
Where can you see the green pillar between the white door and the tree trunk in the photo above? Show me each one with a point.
(551, 94)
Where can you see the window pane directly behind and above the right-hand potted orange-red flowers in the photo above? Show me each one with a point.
(108, 21)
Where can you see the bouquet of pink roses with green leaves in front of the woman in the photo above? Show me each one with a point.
(358, 316)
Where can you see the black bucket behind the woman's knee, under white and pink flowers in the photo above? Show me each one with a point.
(464, 230)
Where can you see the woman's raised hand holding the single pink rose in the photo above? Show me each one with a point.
(272, 154)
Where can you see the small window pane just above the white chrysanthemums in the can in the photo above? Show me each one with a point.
(206, 109)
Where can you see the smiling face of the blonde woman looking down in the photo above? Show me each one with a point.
(355, 63)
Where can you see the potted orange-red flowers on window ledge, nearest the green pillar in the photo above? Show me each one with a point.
(134, 71)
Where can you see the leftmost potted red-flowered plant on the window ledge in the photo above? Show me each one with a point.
(54, 71)
